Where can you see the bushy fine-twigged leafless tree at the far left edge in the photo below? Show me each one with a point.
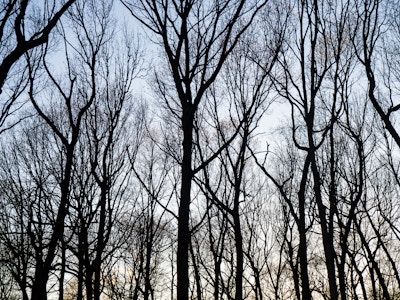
(29, 189)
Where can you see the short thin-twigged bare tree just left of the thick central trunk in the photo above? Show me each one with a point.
(150, 221)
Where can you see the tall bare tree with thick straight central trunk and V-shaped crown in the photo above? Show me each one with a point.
(197, 37)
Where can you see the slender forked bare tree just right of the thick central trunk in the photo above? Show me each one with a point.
(247, 87)
